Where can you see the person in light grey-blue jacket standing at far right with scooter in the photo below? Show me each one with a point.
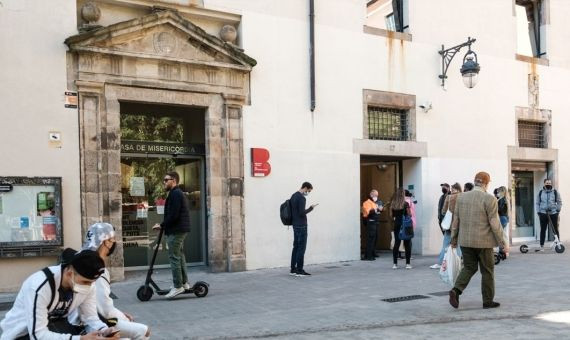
(549, 204)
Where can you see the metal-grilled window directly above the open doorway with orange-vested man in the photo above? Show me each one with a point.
(387, 124)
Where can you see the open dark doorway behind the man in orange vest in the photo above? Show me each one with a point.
(385, 176)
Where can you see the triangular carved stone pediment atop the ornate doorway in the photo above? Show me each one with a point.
(162, 35)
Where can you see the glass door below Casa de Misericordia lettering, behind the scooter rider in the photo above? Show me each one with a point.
(143, 198)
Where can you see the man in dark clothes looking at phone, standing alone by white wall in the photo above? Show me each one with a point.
(299, 214)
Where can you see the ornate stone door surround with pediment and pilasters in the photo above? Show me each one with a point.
(162, 58)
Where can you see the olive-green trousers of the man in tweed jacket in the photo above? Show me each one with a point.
(485, 258)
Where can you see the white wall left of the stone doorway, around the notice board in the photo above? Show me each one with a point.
(33, 76)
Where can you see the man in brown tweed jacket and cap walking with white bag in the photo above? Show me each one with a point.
(475, 225)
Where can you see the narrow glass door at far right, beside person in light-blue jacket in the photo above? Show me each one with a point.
(524, 204)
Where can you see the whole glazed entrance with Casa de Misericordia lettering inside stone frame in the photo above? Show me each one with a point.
(157, 139)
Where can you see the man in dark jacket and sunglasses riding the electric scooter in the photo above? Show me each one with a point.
(176, 225)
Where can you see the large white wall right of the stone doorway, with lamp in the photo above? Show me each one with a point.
(467, 130)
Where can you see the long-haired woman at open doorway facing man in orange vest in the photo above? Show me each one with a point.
(400, 210)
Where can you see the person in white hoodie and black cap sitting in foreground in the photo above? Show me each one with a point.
(49, 296)
